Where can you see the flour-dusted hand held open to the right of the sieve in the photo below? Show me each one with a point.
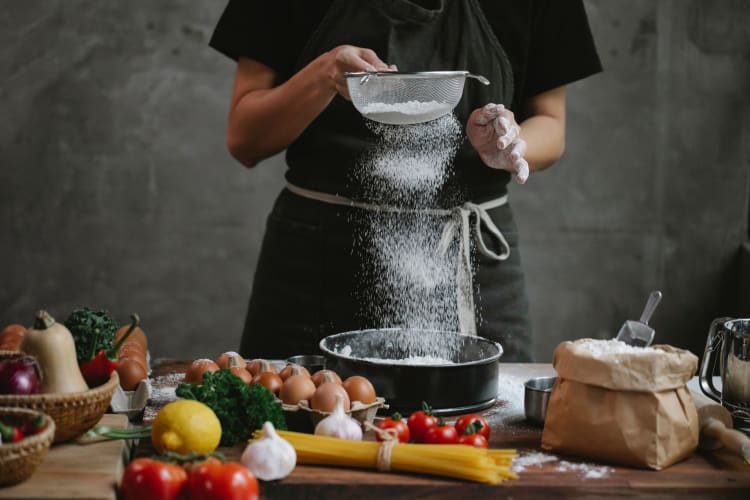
(494, 133)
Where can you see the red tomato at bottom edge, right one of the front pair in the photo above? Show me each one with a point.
(213, 479)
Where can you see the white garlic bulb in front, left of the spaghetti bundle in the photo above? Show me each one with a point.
(270, 457)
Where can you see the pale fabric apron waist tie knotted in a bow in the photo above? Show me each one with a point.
(459, 225)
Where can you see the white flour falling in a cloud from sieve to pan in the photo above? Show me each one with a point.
(406, 281)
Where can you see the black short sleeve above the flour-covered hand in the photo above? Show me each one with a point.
(561, 46)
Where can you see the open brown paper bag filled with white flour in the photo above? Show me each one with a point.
(624, 408)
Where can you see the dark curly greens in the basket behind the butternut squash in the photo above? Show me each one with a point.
(92, 331)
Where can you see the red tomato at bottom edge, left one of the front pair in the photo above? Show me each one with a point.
(147, 479)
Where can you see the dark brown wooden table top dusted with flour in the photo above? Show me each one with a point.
(717, 474)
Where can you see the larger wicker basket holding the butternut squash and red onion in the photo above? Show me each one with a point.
(73, 413)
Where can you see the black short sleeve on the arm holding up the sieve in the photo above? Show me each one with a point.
(270, 32)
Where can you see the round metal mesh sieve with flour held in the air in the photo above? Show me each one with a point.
(407, 98)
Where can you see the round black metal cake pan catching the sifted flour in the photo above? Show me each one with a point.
(469, 382)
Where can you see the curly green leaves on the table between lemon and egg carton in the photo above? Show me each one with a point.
(241, 408)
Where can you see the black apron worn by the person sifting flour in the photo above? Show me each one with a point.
(309, 277)
